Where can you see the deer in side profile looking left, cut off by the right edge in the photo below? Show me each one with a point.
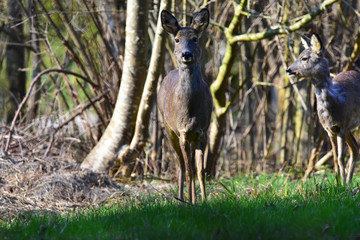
(338, 101)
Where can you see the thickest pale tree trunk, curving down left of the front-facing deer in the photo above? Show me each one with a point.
(120, 130)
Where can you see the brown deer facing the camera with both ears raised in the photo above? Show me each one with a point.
(185, 102)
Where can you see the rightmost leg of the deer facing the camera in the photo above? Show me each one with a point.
(199, 157)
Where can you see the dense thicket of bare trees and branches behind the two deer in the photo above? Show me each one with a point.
(93, 68)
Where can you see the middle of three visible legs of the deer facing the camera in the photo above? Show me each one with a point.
(186, 152)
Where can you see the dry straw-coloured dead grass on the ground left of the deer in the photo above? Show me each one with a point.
(58, 184)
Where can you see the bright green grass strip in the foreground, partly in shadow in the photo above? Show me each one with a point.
(266, 207)
